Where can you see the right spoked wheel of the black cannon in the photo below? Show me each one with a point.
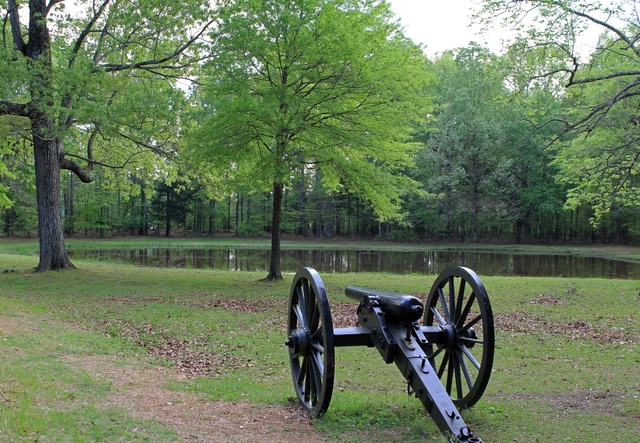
(459, 304)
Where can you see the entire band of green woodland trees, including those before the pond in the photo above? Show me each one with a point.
(316, 118)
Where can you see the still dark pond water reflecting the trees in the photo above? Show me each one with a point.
(396, 262)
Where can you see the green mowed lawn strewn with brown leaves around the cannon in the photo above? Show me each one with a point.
(566, 364)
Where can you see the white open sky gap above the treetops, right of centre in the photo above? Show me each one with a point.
(440, 25)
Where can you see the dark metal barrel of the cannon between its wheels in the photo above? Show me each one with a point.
(402, 306)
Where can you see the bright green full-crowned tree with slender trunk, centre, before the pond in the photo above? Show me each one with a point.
(313, 84)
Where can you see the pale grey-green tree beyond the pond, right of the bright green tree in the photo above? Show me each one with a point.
(470, 170)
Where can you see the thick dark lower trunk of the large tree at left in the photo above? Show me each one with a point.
(53, 253)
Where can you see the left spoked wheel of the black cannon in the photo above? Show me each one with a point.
(310, 342)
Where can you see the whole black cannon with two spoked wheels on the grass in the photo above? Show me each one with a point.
(446, 361)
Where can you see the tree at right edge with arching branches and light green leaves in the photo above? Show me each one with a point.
(598, 151)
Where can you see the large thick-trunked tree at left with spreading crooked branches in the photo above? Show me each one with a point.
(96, 87)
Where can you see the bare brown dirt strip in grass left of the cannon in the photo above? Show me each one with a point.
(141, 391)
